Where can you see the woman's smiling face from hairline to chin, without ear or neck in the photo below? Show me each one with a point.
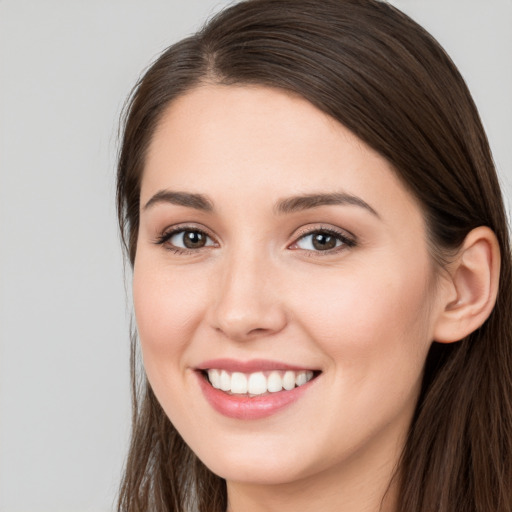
(284, 294)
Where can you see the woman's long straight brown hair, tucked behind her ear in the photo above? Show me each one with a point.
(380, 74)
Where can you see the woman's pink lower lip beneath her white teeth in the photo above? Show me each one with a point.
(243, 407)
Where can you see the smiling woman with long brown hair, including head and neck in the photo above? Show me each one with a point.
(321, 271)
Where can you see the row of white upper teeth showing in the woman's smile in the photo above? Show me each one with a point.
(258, 383)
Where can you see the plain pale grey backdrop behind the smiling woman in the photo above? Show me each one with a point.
(66, 67)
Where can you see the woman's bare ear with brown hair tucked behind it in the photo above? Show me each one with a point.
(469, 294)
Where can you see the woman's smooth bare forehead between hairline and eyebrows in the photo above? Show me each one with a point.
(232, 141)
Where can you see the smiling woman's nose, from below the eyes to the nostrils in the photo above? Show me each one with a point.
(247, 304)
